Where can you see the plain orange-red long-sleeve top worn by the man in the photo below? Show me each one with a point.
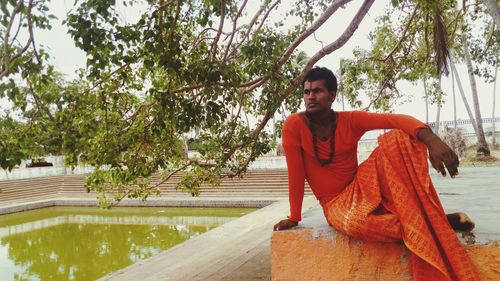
(328, 181)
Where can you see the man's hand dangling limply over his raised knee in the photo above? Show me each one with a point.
(440, 154)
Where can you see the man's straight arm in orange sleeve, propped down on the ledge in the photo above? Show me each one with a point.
(296, 174)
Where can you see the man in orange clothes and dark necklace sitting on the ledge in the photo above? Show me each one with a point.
(390, 196)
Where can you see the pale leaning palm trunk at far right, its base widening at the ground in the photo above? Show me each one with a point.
(482, 144)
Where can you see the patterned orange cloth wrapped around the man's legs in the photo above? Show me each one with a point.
(391, 199)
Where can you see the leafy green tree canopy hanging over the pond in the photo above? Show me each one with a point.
(184, 71)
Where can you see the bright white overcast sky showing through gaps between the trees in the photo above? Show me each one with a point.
(67, 59)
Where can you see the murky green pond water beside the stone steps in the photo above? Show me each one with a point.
(73, 243)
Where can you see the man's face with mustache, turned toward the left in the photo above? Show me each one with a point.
(317, 98)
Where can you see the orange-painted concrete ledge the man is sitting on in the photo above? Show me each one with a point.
(315, 251)
